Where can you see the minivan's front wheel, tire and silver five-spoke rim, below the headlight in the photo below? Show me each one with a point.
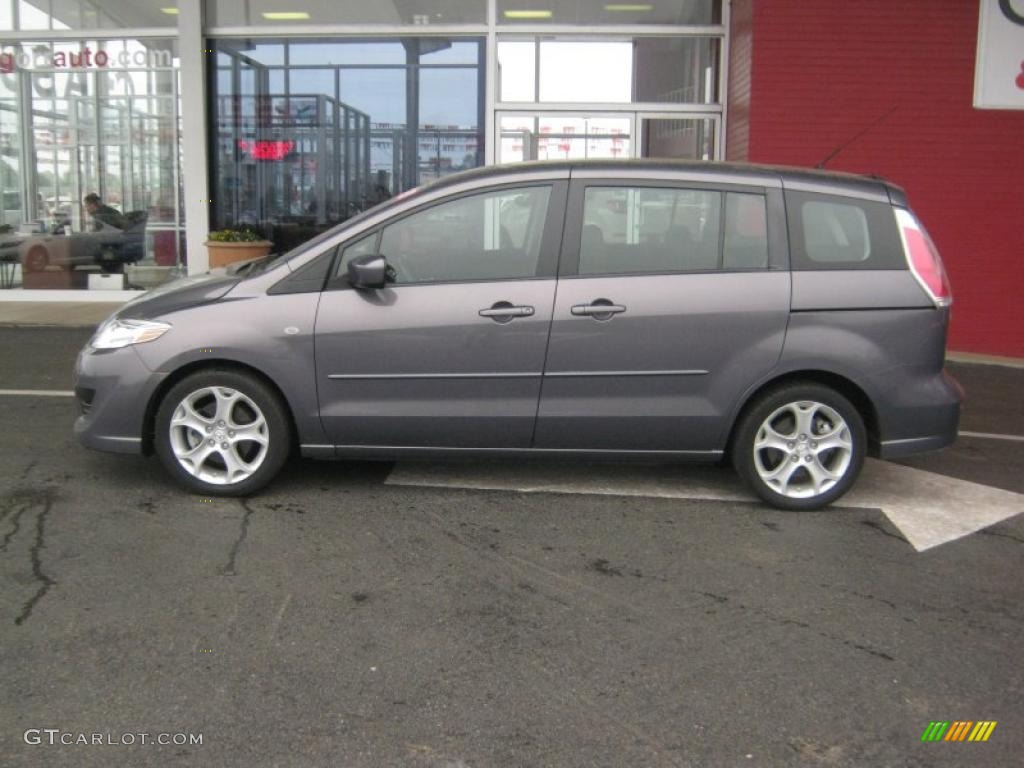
(223, 434)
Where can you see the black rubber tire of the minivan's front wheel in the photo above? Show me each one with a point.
(266, 400)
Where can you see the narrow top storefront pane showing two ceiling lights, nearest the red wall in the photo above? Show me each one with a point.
(571, 12)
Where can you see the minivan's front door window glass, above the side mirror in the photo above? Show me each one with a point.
(495, 236)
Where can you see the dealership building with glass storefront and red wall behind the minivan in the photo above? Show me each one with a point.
(188, 116)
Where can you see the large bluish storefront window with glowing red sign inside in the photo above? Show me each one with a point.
(343, 126)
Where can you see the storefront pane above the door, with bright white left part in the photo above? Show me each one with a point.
(653, 70)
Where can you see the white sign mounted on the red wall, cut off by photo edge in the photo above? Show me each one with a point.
(999, 73)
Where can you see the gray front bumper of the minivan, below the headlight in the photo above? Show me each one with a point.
(113, 388)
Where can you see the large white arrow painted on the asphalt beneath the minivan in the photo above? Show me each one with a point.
(927, 508)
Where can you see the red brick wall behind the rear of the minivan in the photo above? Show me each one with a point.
(822, 71)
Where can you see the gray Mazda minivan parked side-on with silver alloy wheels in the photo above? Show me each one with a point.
(792, 321)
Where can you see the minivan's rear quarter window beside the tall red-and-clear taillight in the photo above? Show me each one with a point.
(835, 233)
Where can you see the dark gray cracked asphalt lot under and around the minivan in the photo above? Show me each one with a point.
(372, 615)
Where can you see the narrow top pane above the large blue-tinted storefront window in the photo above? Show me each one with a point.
(419, 13)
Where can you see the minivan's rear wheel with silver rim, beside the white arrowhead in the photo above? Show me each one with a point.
(785, 404)
